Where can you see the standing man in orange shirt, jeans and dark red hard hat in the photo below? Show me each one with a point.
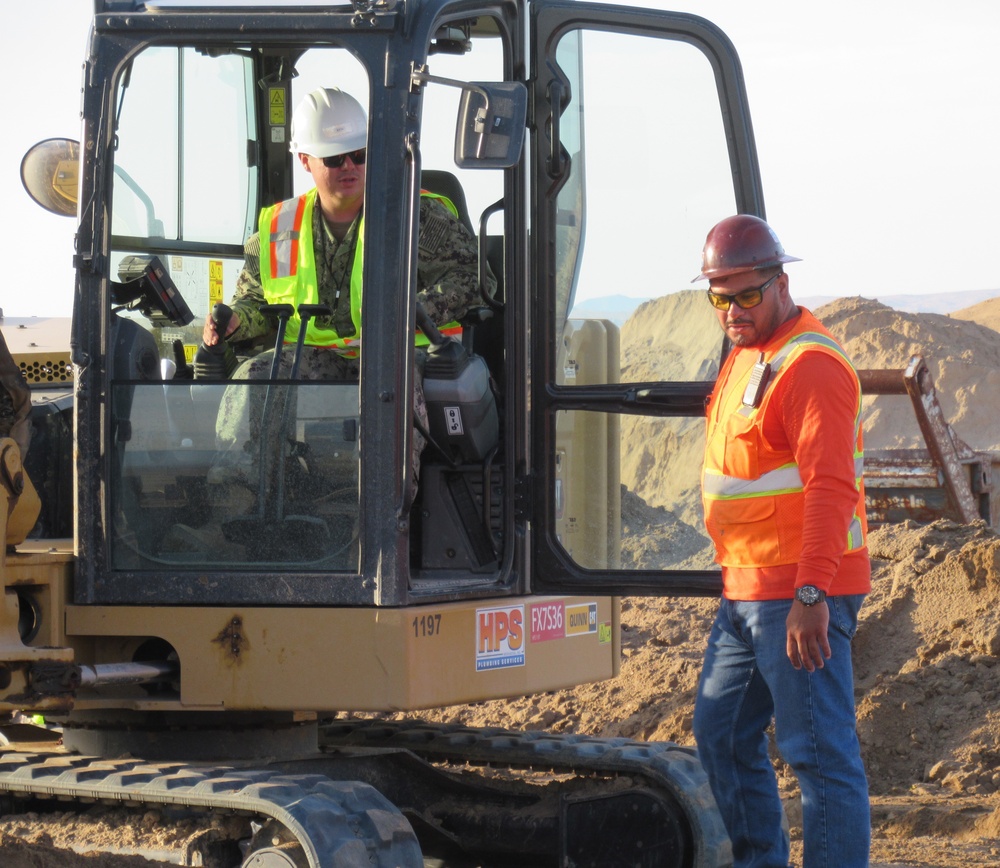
(784, 505)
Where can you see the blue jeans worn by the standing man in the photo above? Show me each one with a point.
(746, 680)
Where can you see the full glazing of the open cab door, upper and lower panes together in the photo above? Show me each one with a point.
(644, 173)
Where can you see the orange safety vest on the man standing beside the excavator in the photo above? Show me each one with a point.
(752, 494)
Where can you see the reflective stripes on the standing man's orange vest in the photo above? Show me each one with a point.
(783, 481)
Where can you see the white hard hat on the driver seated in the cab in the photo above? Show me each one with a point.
(328, 122)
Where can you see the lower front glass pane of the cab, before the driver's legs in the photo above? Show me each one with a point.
(199, 485)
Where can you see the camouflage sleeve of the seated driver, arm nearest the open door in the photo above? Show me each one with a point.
(447, 264)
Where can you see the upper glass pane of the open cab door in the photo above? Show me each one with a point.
(648, 175)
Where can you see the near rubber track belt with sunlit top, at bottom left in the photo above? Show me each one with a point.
(339, 824)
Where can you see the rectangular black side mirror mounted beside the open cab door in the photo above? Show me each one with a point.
(491, 125)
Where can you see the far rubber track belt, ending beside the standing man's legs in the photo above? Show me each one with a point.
(662, 765)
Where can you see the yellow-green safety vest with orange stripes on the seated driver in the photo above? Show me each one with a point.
(288, 272)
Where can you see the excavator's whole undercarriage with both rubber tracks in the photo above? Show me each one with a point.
(398, 793)
